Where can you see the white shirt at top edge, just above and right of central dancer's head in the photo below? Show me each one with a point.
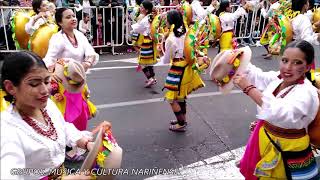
(198, 12)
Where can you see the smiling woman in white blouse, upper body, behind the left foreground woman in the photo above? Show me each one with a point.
(69, 42)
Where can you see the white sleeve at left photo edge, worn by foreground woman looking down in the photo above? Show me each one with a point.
(12, 154)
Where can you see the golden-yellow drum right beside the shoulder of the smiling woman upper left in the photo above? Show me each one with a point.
(39, 41)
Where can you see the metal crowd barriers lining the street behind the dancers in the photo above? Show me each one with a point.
(116, 25)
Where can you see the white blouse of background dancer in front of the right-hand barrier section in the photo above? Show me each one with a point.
(227, 19)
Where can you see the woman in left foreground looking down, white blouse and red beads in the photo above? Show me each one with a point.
(33, 132)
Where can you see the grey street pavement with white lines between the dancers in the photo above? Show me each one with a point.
(217, 124)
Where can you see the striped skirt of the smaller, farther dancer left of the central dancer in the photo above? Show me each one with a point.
(147, 52)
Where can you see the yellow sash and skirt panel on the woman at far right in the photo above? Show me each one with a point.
(270, 155)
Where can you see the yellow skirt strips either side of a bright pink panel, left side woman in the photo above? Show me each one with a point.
(62, 104)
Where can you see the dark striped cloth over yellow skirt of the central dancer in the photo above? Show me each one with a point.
(174, 78)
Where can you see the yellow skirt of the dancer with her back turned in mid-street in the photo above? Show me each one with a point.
(191, 81)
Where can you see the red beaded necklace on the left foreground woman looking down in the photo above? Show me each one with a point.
(51, 133)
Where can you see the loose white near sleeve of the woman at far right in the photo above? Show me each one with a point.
(295, 111)
